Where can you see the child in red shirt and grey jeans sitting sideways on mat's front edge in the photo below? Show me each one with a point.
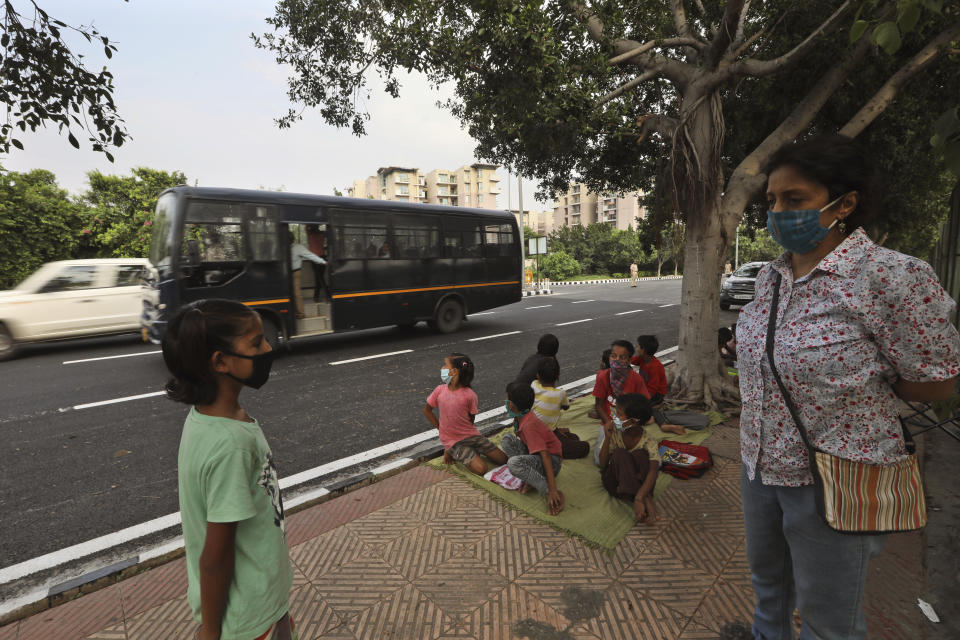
(534, 451)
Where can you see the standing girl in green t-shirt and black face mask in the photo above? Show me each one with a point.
(238, 562)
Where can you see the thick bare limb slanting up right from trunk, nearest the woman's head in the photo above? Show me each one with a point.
(749, 174)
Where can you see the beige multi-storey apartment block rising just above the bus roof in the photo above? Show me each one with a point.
(475, 185)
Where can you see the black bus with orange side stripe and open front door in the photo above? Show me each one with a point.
(388, 263)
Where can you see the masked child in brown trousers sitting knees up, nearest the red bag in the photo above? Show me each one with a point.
(628, 457)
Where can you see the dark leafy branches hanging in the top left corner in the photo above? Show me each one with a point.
(43, 81)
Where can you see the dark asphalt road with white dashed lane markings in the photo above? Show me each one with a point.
(78, 469)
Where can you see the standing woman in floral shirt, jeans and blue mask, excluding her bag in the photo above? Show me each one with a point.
(857, 327)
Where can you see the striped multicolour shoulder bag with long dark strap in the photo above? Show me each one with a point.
(856, 497)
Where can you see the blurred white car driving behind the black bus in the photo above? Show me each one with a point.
(70, 299)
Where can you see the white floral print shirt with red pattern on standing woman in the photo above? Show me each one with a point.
(845, 332)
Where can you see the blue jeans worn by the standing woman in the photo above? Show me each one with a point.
(796, 560)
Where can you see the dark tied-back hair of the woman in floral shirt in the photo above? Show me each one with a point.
(840, 165)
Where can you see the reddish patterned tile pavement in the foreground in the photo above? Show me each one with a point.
(424, 556)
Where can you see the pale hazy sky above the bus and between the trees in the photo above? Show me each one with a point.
(198, 97)
